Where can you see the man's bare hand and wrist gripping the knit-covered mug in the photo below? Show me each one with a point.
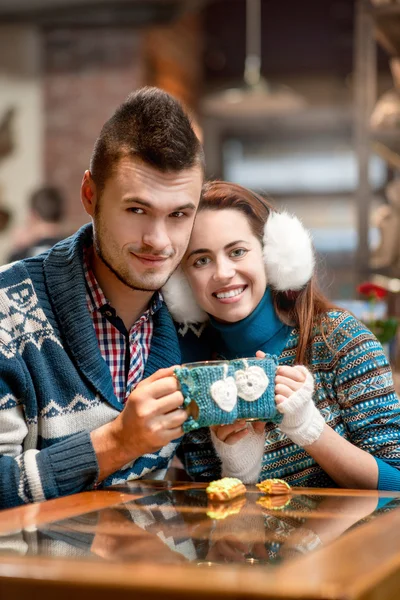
(151, 418)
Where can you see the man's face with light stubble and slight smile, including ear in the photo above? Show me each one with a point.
(143, 220)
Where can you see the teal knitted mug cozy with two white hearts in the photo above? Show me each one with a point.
(224, 391)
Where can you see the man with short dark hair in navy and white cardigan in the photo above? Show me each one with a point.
(87, 394)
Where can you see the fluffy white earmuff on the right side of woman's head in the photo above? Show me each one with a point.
(288, 252)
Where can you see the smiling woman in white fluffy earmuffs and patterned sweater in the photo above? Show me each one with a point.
(251, 283)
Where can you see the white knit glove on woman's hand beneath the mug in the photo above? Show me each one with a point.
(243, 459)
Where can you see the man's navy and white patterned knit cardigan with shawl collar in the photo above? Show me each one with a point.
(55, 386)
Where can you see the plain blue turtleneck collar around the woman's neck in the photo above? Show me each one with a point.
(261, 330)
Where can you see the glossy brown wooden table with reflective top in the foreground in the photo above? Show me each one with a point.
(157, 540)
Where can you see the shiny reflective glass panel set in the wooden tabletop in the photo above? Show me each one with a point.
(164, 523)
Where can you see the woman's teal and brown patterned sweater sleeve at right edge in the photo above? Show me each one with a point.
(368, 403)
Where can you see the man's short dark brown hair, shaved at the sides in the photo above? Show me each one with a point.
(150, 125)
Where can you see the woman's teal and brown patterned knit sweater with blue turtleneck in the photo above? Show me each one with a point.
(353, 391)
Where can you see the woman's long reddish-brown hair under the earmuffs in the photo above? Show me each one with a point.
(304, 309)
